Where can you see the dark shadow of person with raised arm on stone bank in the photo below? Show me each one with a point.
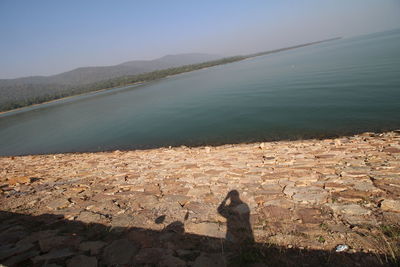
(237, 214)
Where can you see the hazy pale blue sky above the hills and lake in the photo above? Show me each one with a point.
(47, 37)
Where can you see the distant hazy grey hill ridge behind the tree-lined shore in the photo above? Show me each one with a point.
(87, 75)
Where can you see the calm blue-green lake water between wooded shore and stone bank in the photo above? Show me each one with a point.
(340, 87)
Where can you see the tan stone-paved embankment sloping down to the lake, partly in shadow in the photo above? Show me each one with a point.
(293, 203)
